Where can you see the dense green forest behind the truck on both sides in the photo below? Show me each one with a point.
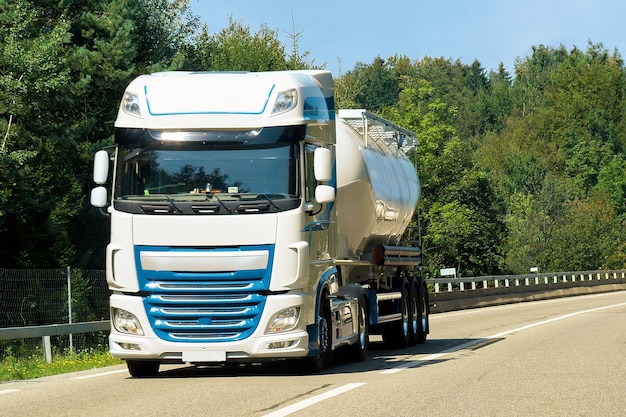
(519, 168)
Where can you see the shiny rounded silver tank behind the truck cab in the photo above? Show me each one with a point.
(377, 190)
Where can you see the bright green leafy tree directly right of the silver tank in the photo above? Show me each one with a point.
(462, 216)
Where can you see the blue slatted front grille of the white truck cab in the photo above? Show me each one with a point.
(205, 307)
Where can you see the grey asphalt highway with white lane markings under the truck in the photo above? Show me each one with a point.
(562, 357)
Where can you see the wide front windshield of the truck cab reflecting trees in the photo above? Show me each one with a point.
(193, 172)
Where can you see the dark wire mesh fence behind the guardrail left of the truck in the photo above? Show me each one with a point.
(37, 297)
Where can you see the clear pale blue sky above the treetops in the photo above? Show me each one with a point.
(491, 31)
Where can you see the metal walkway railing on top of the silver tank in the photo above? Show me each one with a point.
(376, 128)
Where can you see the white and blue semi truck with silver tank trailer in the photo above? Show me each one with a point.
(251, 223)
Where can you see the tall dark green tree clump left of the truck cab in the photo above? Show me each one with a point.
(63, 68)
